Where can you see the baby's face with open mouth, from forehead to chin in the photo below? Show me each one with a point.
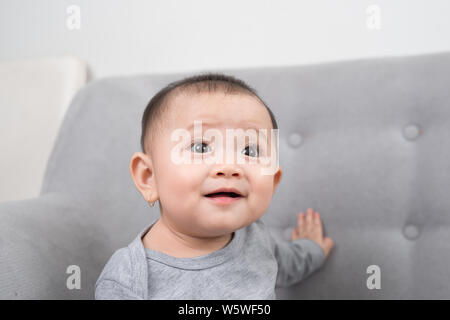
(182, 187)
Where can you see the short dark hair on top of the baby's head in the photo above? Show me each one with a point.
(209, 82)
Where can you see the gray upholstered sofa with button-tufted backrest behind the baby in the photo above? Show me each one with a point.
(366, 143)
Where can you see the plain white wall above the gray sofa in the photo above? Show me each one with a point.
(154, 36)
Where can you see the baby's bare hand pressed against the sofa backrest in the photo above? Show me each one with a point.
(310, 226)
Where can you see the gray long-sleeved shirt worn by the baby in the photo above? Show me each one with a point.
(256, 261)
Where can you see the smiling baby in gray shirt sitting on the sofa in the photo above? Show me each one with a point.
(209, 241)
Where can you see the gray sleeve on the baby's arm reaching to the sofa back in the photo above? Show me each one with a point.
(296, 259)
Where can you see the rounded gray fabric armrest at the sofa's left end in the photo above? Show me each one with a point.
(39, 239)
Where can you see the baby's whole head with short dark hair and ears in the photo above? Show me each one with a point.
(223, 104)
